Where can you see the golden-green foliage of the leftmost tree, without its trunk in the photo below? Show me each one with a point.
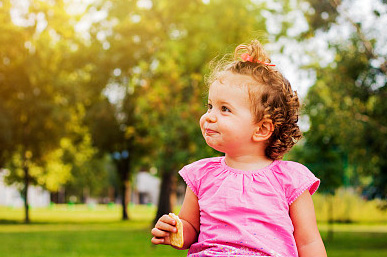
(32, 84)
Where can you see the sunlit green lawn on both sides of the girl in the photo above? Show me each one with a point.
(96, 231)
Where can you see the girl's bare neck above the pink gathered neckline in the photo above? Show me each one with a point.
(248, 162)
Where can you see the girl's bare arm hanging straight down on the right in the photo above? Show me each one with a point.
(306, 234)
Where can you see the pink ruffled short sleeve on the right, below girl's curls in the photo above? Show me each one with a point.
(296, 178)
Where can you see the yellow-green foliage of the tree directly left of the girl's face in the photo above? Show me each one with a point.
(165, 63)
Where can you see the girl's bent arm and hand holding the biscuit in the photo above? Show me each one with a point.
(190, 217)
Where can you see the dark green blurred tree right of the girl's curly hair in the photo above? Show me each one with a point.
(347, 134)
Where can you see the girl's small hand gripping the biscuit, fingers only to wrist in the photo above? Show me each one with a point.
(161, 231)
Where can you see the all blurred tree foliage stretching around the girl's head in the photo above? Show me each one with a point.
(83, 82)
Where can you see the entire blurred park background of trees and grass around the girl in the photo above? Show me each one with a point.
(100, 102)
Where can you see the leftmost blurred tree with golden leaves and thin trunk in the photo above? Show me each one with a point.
(30, 103)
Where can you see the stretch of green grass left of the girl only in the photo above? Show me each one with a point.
(79, 231)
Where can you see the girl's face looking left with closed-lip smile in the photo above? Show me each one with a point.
(228, 125)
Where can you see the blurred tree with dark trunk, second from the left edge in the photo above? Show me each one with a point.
(112, 117)
